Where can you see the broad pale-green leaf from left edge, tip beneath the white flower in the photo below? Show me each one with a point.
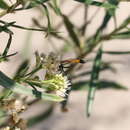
(7, 83)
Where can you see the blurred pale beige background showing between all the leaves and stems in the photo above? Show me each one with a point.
(111, 108)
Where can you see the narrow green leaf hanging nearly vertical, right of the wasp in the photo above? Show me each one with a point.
(94, 81)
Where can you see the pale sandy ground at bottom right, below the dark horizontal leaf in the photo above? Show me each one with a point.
(110, 112)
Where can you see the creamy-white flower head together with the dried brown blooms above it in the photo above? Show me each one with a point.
(55, 77)
